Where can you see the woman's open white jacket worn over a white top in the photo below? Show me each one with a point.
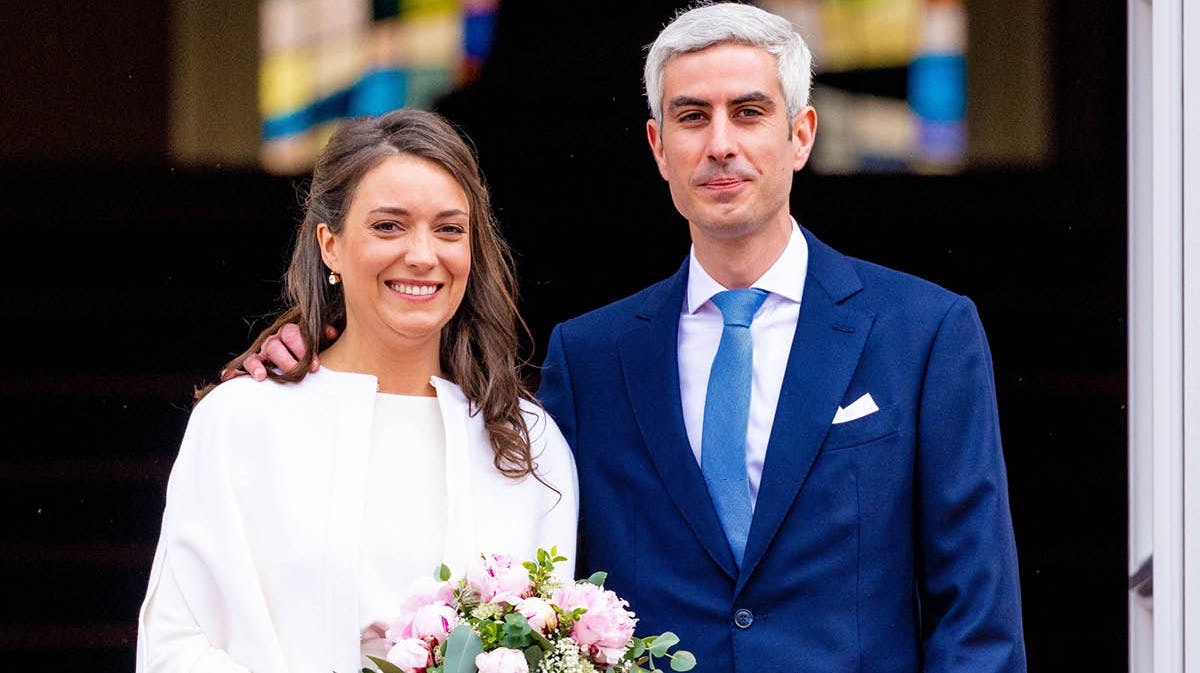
(256, 563)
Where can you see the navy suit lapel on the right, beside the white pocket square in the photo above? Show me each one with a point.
(829, 342)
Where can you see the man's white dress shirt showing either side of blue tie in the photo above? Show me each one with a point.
(772, 332)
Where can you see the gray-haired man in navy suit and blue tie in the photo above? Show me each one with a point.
(818, 483)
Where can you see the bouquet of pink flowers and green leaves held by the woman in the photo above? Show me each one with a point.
(514, 617)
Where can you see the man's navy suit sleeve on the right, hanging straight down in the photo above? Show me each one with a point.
(968, 573)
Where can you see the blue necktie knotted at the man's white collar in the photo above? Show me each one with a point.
(723, 456)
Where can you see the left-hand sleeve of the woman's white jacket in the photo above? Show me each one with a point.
(205, 609)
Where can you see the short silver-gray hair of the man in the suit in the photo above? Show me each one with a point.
(711, 25)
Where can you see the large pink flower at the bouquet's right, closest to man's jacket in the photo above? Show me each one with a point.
(604, 632)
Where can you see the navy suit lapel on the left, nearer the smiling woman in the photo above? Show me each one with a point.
(650, 358)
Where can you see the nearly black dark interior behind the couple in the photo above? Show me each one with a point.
(130, 281)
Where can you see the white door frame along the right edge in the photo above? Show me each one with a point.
(1165, 331)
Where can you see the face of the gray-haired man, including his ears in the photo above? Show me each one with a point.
(725, 145)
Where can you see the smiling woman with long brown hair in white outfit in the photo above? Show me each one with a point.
(299, 513)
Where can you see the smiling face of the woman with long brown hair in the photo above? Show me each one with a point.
(404, 253)
